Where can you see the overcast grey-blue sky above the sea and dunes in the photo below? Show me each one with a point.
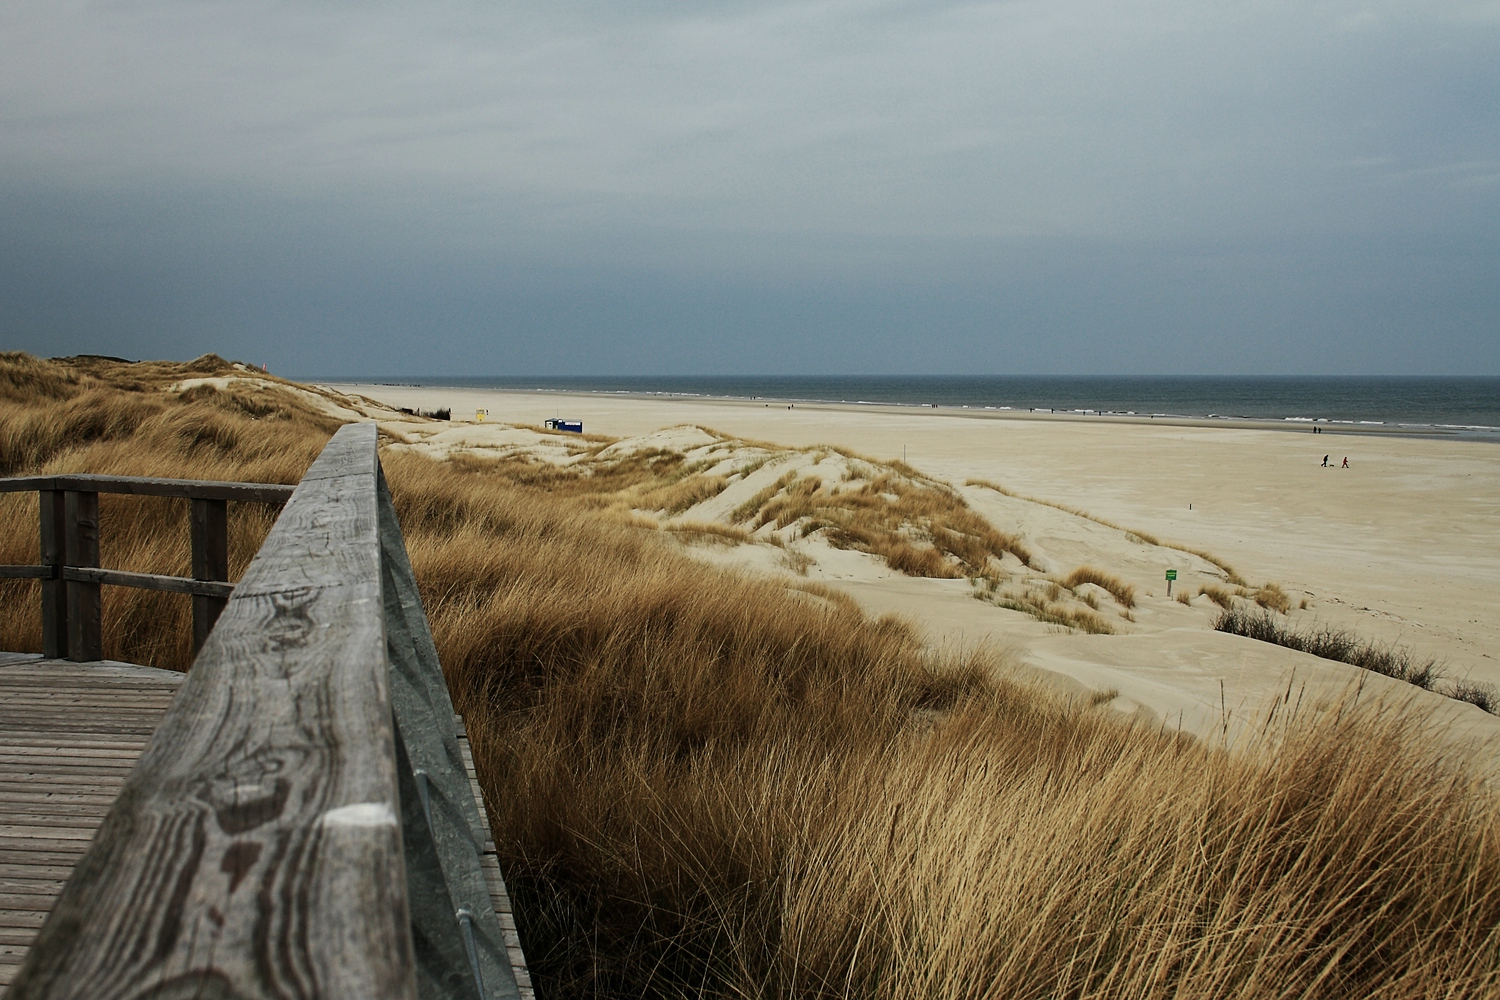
(745, 187)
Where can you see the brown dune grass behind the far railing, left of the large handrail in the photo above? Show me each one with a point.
(98, 416)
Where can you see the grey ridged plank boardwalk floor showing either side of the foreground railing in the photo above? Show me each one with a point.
(70, 734)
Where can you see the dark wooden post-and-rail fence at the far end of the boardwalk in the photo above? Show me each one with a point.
(70, 569)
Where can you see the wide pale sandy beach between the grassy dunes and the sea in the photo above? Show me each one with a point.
(1403, 546)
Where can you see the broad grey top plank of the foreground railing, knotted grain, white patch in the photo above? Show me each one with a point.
(262, 819)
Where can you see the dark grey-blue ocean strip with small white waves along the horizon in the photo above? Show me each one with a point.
(1468, 407)
